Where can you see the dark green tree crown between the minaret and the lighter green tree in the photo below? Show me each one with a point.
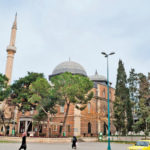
(21, 92)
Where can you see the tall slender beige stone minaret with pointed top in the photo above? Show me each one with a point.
(11, 50)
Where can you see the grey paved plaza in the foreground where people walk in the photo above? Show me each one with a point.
(64, 146)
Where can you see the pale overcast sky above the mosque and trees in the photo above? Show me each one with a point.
(51, 31)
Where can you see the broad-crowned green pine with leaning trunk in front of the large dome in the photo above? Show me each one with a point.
(73, 89)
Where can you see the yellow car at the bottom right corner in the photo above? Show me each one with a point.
(141, 145)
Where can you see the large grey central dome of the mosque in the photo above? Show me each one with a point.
(69, 66)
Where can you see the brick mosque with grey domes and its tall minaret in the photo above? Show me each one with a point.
(89, 122)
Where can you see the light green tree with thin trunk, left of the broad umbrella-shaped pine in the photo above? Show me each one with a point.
(44, 99)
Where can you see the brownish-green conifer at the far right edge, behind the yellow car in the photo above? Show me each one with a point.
(143, 112)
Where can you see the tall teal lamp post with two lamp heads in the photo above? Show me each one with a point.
(107, 55)
